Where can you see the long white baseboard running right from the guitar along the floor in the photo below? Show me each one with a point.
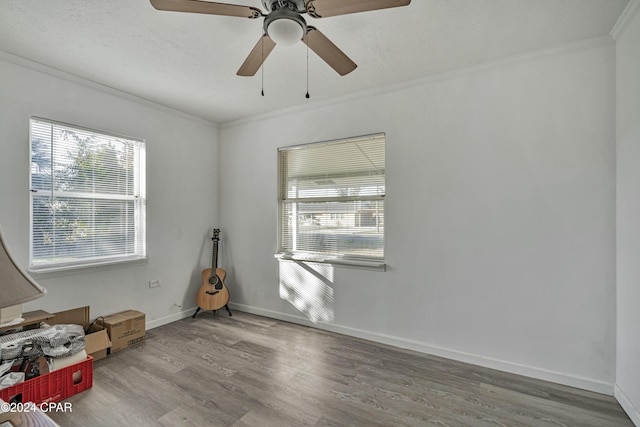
(487, 362)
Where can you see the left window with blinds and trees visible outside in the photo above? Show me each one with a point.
(87, 197)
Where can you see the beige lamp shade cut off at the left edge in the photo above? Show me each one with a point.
(16, 287)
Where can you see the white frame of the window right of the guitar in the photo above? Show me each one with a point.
(341, 259)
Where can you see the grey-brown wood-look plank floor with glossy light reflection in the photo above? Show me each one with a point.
(253, 371)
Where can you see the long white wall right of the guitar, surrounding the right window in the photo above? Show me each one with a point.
(500, 221)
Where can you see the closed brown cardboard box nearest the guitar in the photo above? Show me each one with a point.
(125, 328)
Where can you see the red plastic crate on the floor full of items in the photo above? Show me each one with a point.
(54, 386)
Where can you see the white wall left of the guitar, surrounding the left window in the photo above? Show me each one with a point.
(181, 185)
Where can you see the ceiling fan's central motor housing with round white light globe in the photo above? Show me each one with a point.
(284, 23)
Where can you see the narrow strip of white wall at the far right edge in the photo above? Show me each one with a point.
(628, 217)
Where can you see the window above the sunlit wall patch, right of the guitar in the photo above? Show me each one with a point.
(331, 198)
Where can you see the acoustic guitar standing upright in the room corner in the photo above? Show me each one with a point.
(213, 294)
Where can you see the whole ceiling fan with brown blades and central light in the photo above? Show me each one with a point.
(284, 25)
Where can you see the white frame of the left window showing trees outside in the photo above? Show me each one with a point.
(139, 199)
